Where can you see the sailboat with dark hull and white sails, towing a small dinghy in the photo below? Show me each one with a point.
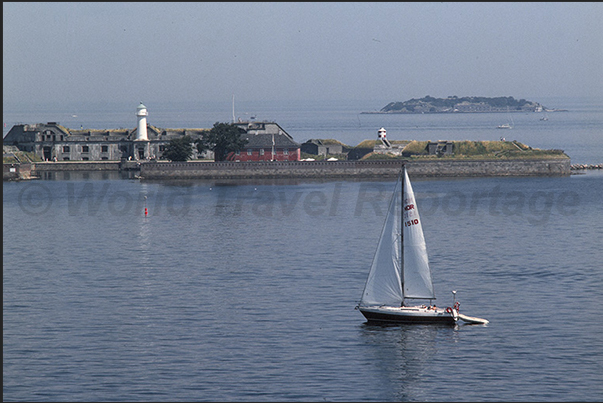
(400, 269)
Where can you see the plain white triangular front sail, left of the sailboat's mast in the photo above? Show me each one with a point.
(383, 286)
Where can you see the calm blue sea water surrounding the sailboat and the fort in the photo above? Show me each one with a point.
(246, 291)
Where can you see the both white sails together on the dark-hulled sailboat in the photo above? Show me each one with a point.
(400, 268)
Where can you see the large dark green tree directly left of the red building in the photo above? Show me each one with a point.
(222, 139)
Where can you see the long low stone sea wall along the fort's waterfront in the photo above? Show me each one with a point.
(372, 169)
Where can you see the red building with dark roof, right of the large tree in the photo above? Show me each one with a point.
(266, 141)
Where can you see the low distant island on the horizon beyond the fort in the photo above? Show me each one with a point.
(455, 104)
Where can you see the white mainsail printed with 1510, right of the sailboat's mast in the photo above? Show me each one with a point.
(417, 275)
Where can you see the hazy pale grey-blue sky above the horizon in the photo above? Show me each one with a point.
(79, 52)
